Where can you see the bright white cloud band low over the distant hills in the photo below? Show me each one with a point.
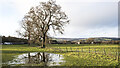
(79, 33)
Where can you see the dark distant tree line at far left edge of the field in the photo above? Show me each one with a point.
(14, 40)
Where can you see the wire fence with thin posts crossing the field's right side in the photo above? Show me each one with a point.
(89, 50)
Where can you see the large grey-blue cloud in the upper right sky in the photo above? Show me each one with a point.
(91, 14)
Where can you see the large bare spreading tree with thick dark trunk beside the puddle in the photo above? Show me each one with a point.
(49, 16)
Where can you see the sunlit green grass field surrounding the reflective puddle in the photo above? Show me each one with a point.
(79, 55)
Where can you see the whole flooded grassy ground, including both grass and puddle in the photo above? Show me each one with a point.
(79, 56)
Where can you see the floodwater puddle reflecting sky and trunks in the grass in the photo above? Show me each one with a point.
(49, 59)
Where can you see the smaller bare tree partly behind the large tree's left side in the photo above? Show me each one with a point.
(27, 30)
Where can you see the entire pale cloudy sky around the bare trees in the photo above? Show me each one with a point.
(88, 18)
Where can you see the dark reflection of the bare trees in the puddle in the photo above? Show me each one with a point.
(38, 58)
